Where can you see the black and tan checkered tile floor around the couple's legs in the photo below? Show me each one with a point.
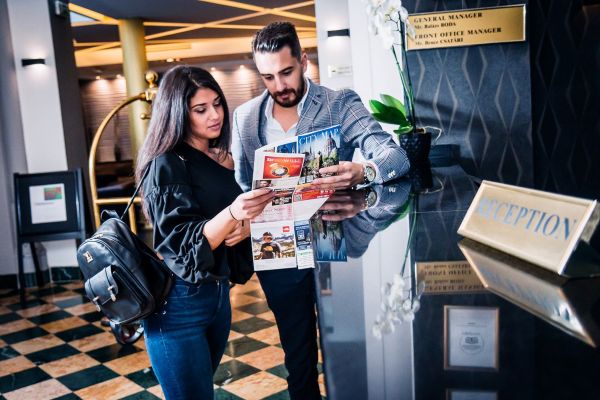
(54, 347)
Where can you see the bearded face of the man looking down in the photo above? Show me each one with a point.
(282, 74)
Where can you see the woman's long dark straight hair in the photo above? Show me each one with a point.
(170, 114)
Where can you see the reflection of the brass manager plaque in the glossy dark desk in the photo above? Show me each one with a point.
(443, 277)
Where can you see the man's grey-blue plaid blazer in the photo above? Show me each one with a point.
(323, 108)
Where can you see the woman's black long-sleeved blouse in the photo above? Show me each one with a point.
(183, 190)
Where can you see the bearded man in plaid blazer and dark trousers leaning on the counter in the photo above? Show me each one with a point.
(293, 105)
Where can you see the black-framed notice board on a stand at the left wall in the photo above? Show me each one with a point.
(49, 203)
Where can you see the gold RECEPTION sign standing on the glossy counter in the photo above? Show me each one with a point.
(542, 228)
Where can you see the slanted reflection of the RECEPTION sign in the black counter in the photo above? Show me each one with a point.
(571, 305)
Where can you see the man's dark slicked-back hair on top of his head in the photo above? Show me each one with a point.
(275, 37)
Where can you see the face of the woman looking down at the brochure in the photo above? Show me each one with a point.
(206, 115)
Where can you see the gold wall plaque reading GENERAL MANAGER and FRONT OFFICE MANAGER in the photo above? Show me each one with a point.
(467, 27)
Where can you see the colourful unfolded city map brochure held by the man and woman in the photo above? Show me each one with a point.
(281, 233)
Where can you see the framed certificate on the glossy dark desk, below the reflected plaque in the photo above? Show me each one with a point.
(471, 337)
